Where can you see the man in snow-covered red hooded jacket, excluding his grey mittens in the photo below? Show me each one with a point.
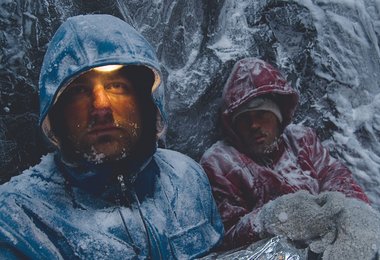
(263, 156)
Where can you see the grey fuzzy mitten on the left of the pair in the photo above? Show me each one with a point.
(300, 216)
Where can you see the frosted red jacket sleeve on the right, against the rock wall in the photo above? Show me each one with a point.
(333, 175)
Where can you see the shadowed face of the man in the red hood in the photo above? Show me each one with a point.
(258, 130)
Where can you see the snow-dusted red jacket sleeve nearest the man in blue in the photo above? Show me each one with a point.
(237, 217)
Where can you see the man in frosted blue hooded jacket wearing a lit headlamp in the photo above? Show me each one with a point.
(108, 191)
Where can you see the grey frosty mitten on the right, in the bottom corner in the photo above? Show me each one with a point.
(357, 233)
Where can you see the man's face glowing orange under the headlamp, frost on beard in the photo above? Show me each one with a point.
(101, 116)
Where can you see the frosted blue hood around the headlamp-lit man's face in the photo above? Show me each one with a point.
(87, 41)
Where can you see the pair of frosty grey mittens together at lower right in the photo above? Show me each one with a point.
(338, 227)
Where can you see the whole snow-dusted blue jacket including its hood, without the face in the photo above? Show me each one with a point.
(165, 212)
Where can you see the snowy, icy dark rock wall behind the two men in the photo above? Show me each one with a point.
(328, 49)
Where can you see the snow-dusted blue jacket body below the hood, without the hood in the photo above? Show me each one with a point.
(42, 217)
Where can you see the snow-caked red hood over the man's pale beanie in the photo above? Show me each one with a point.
(250, 78)
